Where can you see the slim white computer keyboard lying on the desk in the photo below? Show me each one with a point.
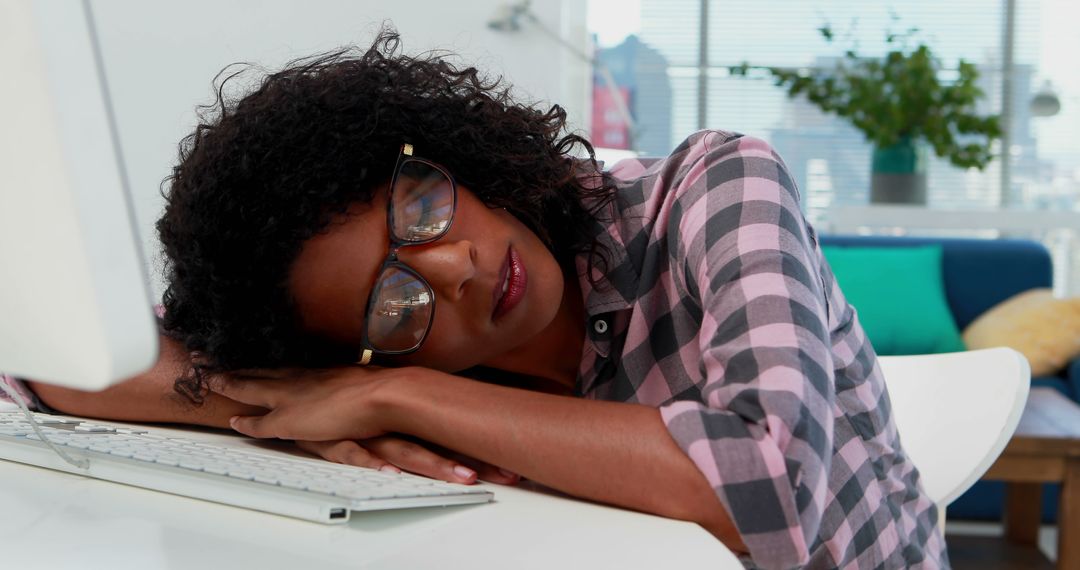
(296, 487)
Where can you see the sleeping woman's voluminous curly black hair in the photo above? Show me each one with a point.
(265, 172)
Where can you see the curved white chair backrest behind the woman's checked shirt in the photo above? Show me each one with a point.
(956, 413)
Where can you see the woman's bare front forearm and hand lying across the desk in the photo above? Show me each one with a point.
(613, 453)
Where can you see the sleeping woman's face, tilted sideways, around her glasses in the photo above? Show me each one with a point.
(333, 276)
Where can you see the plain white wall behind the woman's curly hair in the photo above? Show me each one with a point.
(161, 57)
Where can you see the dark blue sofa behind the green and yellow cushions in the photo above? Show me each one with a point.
(979, 275)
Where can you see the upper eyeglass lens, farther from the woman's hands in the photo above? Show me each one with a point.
(423, 202)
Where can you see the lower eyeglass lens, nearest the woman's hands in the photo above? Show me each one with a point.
(401, 313)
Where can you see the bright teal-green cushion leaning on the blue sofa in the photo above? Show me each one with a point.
(900, 296)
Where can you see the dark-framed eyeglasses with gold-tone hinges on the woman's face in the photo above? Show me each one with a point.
(402, 305)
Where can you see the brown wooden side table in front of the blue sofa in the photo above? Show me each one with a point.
(1046, 449)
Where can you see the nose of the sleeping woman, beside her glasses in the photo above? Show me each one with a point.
(448, 266)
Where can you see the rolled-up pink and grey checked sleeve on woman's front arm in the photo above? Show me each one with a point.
(762, 432)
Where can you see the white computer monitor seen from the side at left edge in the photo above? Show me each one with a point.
(75, 298)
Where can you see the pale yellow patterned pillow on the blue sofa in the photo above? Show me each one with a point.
(1045, 330)
